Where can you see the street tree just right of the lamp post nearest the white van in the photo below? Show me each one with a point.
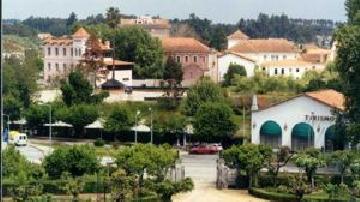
(78, 116)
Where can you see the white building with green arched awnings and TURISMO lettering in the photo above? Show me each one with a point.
(301, 122)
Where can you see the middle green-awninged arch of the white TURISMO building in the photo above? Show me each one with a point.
(302, 136)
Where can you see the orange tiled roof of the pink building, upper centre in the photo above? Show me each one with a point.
(183, 45)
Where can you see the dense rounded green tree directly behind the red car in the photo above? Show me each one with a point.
(213, 122)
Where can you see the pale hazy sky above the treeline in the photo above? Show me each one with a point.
(228, 11)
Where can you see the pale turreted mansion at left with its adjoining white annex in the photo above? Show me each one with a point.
(80, 50)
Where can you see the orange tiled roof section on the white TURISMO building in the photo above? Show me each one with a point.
(329, 97)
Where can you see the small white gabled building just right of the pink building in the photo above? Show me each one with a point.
(231, 58)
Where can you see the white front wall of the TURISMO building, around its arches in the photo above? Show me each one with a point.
(291, 113)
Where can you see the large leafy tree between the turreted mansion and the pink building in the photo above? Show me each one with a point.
(135, 44)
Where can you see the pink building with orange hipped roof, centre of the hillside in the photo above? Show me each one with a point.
(197, 59)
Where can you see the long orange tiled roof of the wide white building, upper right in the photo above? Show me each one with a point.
(264, 46)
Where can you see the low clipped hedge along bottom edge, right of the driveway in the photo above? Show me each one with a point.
(287, 197)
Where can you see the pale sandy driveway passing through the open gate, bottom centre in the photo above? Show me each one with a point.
(202, 169)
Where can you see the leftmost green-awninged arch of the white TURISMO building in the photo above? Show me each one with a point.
(270, 134)
